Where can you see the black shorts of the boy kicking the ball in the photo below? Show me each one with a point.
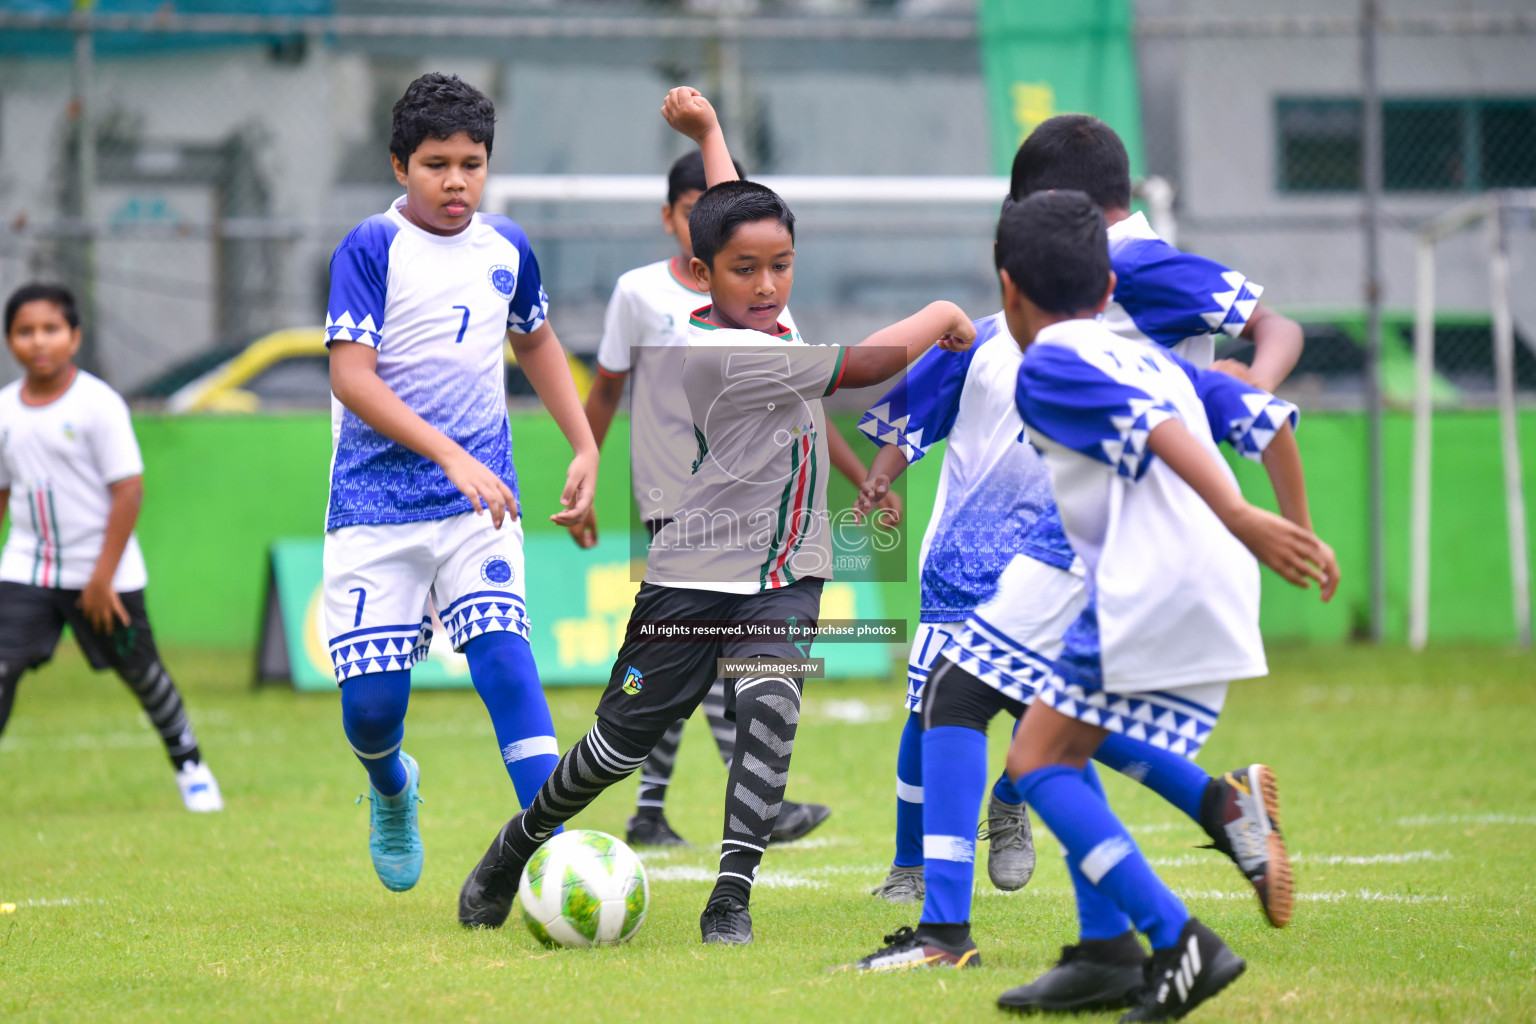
(657, 682)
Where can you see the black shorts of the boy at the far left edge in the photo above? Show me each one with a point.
(35, 618)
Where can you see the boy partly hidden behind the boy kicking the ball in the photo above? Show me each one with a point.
(649, 312)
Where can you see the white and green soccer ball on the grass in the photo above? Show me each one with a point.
(584, 888)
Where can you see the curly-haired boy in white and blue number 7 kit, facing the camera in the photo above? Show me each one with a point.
(422, 302)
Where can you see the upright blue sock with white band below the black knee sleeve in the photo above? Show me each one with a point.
(955, 761)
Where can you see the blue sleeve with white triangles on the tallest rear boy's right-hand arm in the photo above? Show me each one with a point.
(1174, 299)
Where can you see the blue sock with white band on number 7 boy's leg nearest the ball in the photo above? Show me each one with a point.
(508, 681)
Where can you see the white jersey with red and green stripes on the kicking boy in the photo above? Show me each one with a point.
(753, 514)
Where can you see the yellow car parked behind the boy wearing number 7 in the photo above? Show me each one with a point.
(290, 371)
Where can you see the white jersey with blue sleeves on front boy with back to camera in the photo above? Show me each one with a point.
(1174, 596)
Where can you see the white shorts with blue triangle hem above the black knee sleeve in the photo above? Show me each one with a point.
(1011, 641)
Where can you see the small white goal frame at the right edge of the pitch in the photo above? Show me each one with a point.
(1491, 213)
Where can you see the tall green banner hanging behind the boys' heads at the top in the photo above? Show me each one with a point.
(1044, 58)
